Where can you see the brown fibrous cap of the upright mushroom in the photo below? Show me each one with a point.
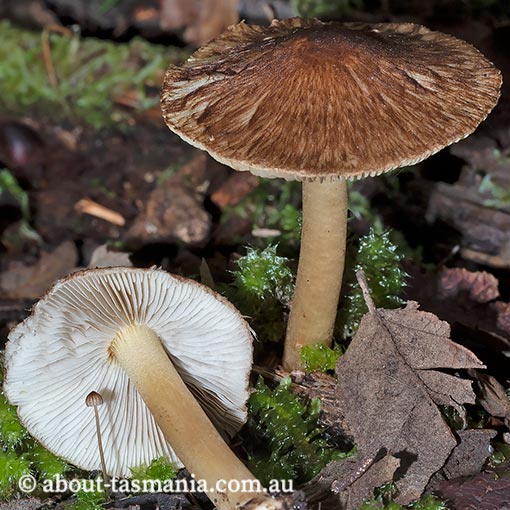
(303, 99)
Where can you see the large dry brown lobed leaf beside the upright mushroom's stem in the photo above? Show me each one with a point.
(389, 388)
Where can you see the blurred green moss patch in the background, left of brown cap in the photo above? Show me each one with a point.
(91, 74)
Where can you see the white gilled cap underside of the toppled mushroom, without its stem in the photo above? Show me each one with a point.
(60, 353)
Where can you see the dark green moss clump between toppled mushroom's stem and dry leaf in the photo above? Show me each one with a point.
(289, 442)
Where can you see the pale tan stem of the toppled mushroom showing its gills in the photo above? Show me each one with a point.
(185, 425)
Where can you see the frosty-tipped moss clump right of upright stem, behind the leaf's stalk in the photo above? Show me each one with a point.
(380, 259)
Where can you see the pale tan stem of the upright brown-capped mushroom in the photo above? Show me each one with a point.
(320, 270)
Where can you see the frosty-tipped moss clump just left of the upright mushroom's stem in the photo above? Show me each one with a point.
(261, 289)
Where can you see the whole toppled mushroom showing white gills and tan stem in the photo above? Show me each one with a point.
(153, 345)
